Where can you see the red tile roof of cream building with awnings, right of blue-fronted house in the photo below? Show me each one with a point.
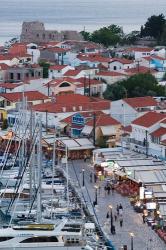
(104, 120)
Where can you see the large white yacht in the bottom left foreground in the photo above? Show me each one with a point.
(64, 236)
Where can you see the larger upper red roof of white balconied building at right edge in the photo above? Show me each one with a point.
(149, 119)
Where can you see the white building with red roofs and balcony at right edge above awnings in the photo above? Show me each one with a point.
(148, 131)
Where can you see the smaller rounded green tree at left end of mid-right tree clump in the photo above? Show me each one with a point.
(115, 92)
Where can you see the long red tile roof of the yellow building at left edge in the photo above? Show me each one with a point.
(17, 96)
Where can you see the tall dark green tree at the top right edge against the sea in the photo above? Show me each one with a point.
(154, 26)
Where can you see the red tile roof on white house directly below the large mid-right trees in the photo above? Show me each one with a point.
(139, 102)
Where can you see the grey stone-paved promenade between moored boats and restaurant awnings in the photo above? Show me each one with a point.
(144, 237)
